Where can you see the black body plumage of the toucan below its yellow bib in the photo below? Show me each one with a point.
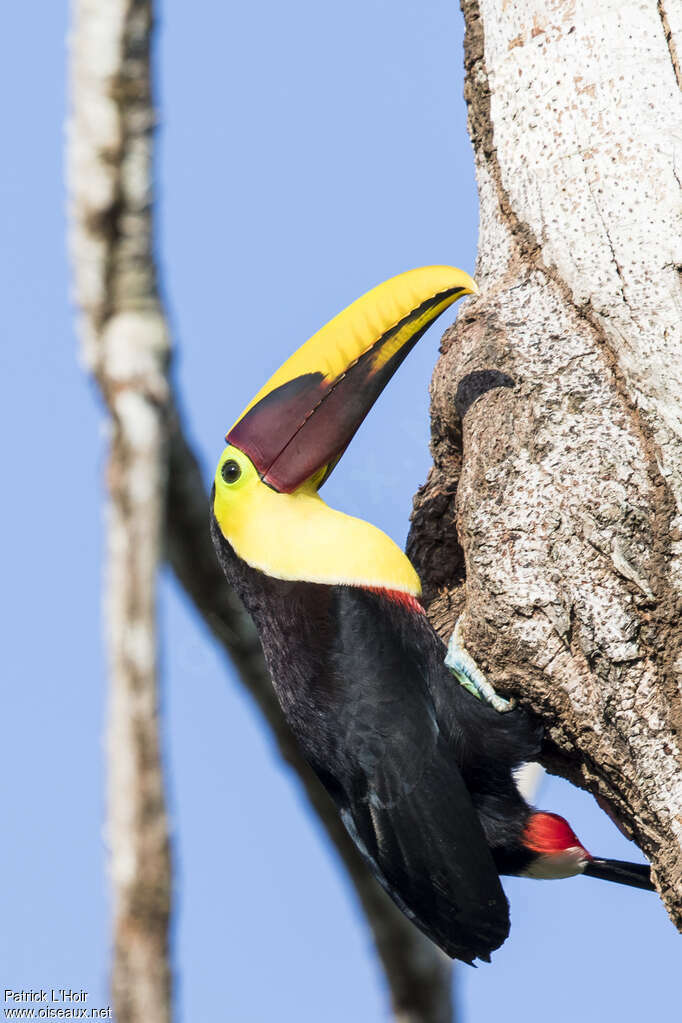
(421, 771)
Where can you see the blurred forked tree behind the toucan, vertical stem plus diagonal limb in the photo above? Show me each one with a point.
(157, 499)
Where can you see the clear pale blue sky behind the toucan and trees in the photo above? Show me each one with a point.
(306, 154)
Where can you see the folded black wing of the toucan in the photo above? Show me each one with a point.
(397, 782)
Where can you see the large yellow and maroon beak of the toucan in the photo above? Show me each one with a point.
(300, 424)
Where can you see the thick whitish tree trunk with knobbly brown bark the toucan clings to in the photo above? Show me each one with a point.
(558, 401)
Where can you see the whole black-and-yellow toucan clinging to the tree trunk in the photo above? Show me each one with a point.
(422, 770)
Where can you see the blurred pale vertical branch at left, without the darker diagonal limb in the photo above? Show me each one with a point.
(126, 345)
